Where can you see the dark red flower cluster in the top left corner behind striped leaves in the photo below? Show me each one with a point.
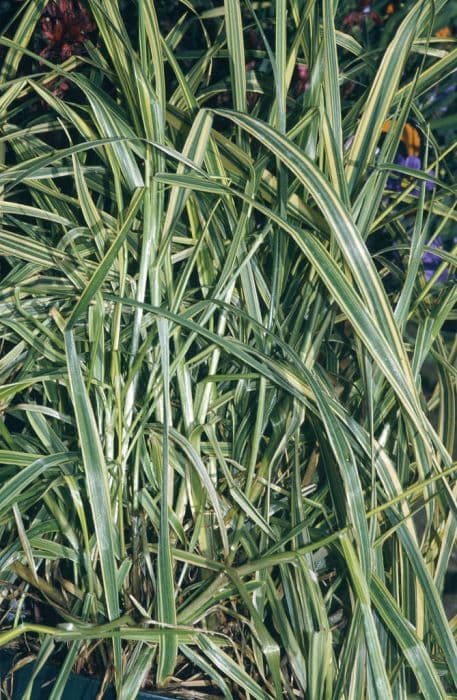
(65, 25)
